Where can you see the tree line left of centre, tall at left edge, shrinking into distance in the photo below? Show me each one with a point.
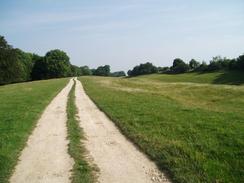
(19, 66)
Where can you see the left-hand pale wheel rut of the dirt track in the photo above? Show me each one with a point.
(45, 158)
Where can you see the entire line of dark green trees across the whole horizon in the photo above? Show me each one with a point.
(19, 66)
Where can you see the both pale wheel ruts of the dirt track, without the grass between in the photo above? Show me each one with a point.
(45, 158)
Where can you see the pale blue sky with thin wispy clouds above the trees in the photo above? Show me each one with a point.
(125, 33)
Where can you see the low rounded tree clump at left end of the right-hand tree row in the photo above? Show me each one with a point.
(146, 68)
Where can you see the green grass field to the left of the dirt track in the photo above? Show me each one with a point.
(20, 107)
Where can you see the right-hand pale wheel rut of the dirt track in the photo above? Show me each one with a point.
(117, 159)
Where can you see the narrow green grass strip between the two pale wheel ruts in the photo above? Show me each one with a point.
(82, 171)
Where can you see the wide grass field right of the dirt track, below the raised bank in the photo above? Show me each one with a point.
(192, 131)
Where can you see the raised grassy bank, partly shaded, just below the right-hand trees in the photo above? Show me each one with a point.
(224, 77)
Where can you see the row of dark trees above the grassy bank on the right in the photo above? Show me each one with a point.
(179, 66)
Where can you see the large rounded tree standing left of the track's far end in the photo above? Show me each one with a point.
(58, 64)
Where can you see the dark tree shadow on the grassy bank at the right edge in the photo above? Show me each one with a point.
(231, 77)
